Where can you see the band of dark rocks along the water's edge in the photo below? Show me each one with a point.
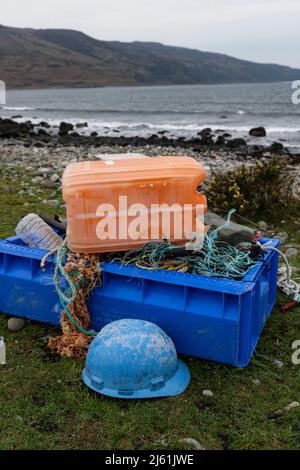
(43, 135)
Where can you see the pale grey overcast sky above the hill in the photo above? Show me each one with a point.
(260, 30)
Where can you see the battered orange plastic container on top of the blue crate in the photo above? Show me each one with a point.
(123, 204)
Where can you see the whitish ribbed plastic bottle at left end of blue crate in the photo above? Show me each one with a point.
(37, 234)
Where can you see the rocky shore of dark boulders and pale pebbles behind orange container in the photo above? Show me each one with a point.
(35, 151)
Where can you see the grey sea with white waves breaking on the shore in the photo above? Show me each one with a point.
(174, 111)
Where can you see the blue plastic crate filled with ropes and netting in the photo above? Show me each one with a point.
(210, 318)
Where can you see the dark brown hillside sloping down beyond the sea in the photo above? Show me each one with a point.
(31, 58)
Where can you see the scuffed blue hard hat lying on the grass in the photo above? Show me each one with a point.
(134, 359)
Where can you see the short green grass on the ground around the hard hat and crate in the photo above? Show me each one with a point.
(44, 404)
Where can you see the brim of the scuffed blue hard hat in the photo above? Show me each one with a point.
(173, 387)
